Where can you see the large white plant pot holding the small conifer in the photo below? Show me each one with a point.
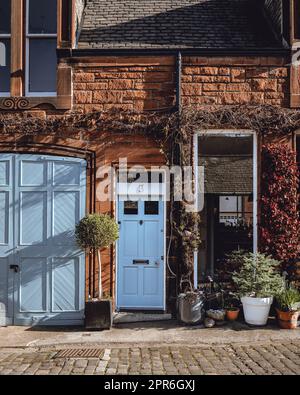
(256, 310)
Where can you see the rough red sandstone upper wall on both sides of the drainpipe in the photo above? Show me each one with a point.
(149, 83)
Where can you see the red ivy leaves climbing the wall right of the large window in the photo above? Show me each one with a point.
(280, 225)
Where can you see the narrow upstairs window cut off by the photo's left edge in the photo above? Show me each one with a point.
(5, 11)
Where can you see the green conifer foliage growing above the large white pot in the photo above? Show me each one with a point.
(258, 276)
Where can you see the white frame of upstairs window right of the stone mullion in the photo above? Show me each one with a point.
(28, 37)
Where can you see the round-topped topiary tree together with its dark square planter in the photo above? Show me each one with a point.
(94, 232)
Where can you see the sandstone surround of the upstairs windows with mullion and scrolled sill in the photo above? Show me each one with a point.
(62, 100)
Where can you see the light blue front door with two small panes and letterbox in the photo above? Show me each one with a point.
(140, 269)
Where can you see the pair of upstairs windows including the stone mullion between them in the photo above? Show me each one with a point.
(37, 74)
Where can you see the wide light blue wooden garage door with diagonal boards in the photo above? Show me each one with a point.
(42, 271)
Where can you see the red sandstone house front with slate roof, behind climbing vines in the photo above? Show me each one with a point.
(70, 58)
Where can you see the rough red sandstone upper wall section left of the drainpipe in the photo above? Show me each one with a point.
(128, 84)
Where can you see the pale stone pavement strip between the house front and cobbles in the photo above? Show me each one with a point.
(146, 333)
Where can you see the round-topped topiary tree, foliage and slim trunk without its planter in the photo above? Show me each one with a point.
(97, 231)
